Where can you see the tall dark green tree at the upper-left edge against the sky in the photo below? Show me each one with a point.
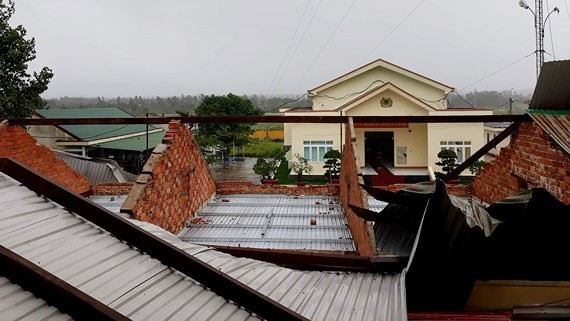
(19, 91)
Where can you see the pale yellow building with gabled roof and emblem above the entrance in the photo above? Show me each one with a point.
(381, 88)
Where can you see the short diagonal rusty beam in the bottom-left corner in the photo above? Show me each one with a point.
(56, 292)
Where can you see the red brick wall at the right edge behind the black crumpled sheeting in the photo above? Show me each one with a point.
(532, 159)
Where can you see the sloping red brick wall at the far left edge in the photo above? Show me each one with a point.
(17, 144)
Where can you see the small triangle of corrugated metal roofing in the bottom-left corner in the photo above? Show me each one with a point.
(16, 304)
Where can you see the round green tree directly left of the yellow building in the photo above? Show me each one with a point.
(221, 137)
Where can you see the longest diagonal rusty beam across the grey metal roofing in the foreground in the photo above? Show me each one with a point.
(218, 282)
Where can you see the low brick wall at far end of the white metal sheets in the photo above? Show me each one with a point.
(229, 188)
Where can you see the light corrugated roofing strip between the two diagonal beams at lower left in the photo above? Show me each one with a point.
(99, 264)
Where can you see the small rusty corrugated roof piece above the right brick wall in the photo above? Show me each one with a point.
(556, 124)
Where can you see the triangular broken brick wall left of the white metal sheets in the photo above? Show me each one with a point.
(174, 184)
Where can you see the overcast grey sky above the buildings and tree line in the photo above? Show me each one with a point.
(138, 47)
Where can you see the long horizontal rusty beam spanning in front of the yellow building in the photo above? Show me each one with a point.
(271, 119)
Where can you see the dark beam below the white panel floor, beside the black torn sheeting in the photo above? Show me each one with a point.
(320, 261)
